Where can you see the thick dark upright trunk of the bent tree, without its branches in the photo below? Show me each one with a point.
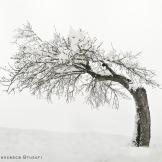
(143, 121)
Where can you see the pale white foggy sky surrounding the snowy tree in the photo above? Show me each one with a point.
(129, 24)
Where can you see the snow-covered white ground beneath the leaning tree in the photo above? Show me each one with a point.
(74, 147)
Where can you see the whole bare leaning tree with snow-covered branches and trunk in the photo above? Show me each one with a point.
(78, 65)
